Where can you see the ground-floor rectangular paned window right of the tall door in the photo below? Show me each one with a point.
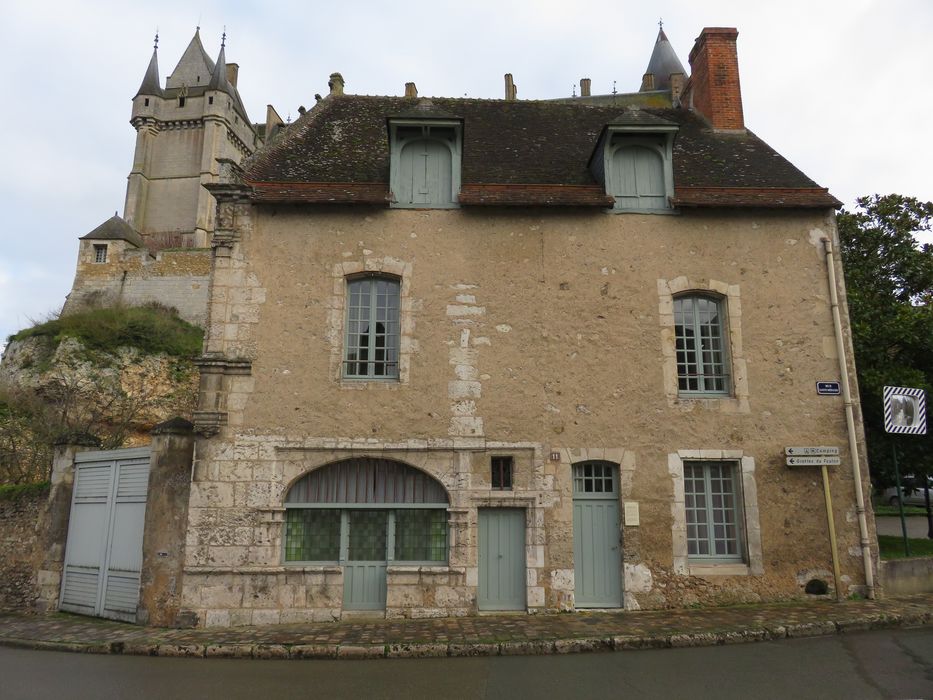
(714, 516)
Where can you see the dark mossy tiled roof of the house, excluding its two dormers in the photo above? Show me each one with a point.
(340, 149)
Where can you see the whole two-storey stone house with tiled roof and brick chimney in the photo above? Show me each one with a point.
(468, 355)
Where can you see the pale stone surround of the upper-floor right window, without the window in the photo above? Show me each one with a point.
(737, 402)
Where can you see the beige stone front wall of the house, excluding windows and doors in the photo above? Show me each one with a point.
(546, 336)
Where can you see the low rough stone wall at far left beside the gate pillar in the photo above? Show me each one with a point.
(19, 548)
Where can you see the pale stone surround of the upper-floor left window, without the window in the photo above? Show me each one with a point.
(337, 319)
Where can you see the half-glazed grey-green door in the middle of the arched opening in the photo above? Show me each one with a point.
(364, 571)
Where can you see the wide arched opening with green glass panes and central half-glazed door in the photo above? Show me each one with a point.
(365, 514)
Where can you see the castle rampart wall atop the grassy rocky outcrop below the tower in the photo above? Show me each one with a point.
(134, 277)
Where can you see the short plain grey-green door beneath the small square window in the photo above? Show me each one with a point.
(501, 559)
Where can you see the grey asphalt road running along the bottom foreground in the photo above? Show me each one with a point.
(884, 664)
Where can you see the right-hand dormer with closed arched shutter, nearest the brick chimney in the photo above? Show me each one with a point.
(636, 164)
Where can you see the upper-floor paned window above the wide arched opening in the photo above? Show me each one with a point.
(372, 331)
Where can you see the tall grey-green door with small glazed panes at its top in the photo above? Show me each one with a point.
(596, 552)
